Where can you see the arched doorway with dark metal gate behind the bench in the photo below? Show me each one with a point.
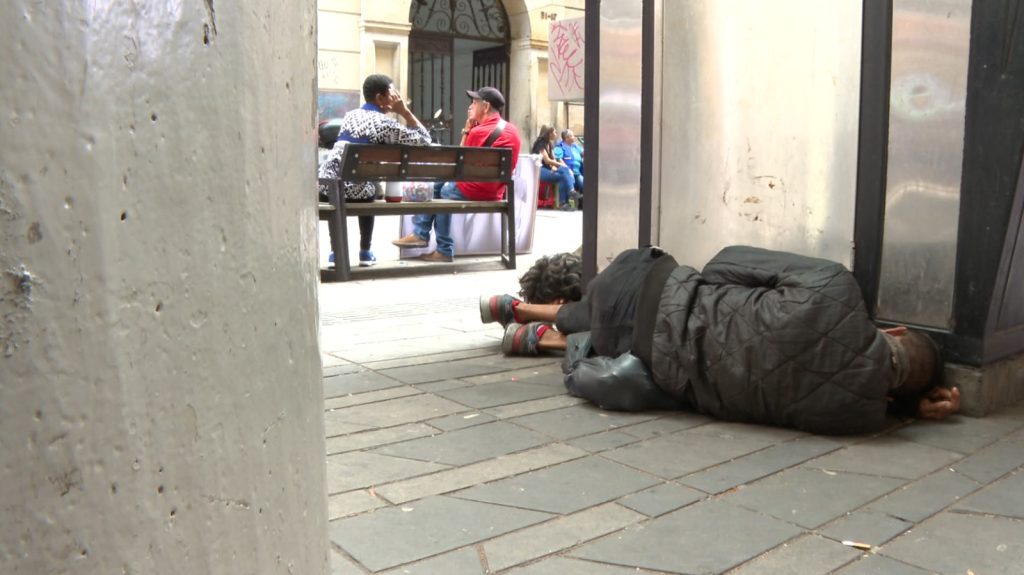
(455, 46)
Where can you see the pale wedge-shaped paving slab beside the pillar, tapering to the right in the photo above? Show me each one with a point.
(358, 470)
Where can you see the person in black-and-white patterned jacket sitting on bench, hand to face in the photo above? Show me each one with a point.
(371, 124)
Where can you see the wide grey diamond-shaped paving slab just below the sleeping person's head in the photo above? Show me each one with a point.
(887, 457)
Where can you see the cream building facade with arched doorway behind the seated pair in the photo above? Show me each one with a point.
(438, 50)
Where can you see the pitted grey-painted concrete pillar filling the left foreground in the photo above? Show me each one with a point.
(161, 406)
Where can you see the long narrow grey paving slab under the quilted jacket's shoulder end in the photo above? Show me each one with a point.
(758, 465)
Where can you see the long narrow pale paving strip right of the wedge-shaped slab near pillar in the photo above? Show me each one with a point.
(477, 474)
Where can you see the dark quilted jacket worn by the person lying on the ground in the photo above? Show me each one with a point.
(773, 338)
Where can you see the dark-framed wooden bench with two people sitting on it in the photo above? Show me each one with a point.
(389, 163)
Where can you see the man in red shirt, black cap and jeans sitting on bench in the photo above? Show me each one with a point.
(484, 123)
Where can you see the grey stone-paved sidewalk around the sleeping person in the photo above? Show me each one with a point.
(447, 458)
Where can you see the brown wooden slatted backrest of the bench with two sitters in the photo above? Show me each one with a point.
(436, 163)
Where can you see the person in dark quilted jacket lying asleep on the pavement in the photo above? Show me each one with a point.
(759, 336)
